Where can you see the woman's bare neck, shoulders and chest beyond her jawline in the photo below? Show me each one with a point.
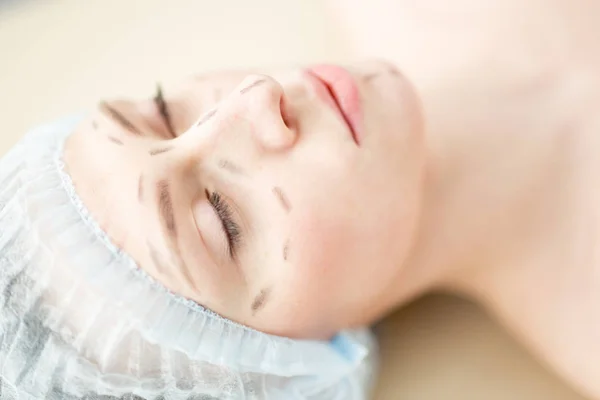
(511, 94)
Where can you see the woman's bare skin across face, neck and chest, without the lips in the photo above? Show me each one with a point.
(476, 176)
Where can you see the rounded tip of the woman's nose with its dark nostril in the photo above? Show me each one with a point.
(263, 99)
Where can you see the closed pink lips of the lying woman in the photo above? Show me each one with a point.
(339, 90)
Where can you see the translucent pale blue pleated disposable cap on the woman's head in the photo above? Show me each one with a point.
(80, 320)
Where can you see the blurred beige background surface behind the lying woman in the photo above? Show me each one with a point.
(62, 56)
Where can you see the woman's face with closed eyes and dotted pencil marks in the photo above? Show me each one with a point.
(286, 202)
